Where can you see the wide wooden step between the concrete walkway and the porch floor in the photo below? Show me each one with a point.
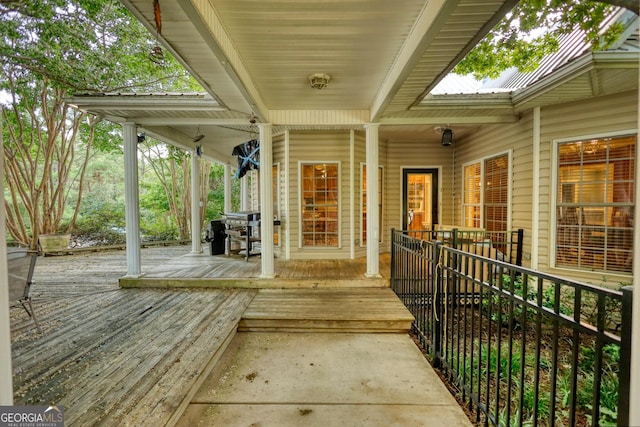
(326, 310)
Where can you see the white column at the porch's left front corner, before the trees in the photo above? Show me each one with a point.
(132, 198)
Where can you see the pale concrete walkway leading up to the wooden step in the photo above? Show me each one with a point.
(323, 379)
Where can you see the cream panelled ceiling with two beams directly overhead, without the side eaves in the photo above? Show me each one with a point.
(254, 56)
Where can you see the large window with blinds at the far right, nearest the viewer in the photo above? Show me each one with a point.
(594, 204)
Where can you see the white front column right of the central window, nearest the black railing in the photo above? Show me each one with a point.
(373, 220)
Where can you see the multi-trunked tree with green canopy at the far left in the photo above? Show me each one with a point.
(50, 48)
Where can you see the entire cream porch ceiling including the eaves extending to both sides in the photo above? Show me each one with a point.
(253, 59)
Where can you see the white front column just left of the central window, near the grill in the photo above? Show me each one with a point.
(266, 201)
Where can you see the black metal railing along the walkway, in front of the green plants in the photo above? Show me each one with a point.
(520, 347)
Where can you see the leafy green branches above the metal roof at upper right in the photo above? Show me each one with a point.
(531, 30)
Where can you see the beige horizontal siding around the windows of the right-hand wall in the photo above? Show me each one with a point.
(597, 116)
